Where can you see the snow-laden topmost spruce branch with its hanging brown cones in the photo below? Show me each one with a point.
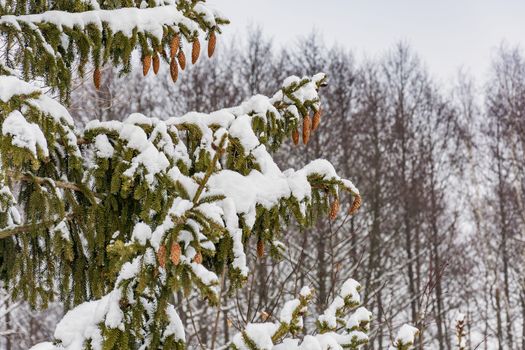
(46, 42)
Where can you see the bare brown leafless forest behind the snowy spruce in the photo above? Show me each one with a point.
(442, 174)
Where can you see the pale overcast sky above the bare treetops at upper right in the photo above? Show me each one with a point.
(447, 34)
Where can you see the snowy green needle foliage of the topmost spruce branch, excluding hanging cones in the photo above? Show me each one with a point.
(53, 40)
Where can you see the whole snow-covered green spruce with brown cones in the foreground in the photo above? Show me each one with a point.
(114, 218)
